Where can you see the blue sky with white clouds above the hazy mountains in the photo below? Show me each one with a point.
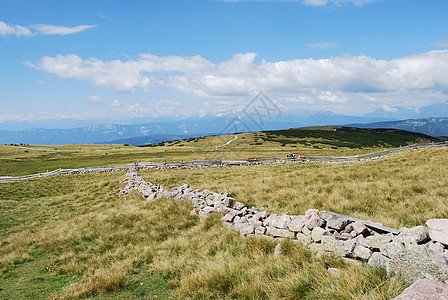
(150, 60)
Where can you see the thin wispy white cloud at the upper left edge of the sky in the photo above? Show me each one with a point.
(18, 30)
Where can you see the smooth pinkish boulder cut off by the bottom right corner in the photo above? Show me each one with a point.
(425, 289)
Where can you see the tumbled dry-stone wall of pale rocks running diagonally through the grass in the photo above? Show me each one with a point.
(416, 253)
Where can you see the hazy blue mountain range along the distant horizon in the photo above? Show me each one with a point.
(151, 133)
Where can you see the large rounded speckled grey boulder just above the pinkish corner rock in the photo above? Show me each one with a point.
(419, 263)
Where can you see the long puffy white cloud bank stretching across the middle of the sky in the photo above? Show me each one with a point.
(240, 75)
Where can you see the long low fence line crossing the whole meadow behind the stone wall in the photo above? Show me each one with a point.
(226, 162)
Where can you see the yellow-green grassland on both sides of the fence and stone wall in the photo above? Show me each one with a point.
(73, 237)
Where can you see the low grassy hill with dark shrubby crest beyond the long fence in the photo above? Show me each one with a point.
(311, 141)
